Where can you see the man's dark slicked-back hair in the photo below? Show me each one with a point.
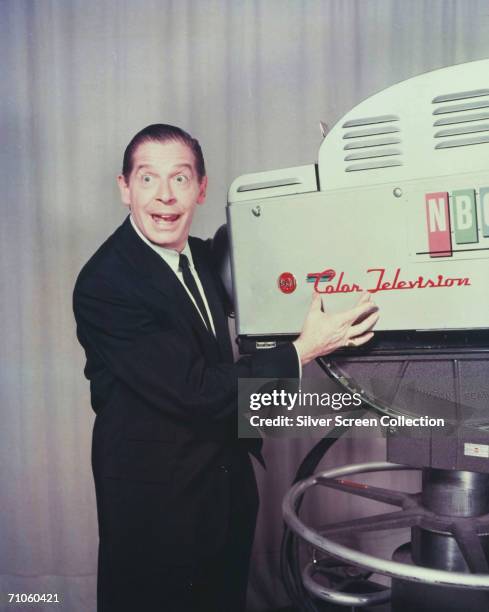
(161, 132)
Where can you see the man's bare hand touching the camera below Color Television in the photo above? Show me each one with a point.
(323, 333)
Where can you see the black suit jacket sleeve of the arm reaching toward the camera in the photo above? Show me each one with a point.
(160, 360)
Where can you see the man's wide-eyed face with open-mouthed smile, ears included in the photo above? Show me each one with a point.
(163, 191)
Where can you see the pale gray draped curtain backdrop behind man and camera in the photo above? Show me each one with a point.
(251, 79)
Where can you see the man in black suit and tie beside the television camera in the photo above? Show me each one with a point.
(176, 493)
